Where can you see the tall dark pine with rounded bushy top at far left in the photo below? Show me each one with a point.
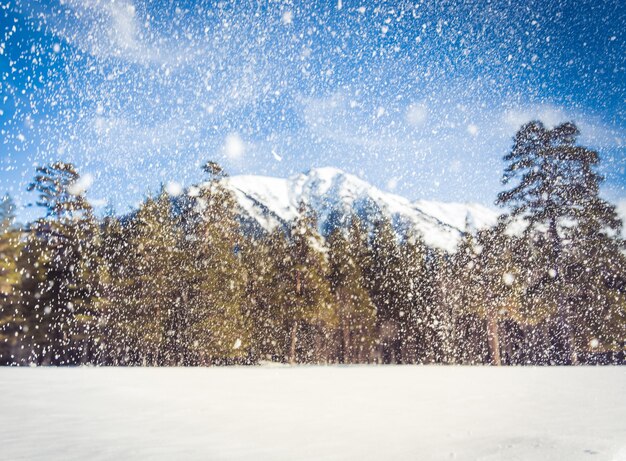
(66, 240)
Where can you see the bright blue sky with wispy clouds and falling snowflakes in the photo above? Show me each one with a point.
(421, 99)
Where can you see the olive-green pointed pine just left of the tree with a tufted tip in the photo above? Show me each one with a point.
(144, 288)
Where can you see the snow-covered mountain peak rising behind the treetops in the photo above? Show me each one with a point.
(269, 202)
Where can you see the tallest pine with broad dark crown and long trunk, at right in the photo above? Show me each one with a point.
(556, 185)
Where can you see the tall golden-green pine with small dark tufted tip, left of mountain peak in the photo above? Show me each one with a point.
(218, 319)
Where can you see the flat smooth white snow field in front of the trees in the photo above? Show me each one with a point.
(330, 413)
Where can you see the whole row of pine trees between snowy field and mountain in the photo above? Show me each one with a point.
(178, 282)
